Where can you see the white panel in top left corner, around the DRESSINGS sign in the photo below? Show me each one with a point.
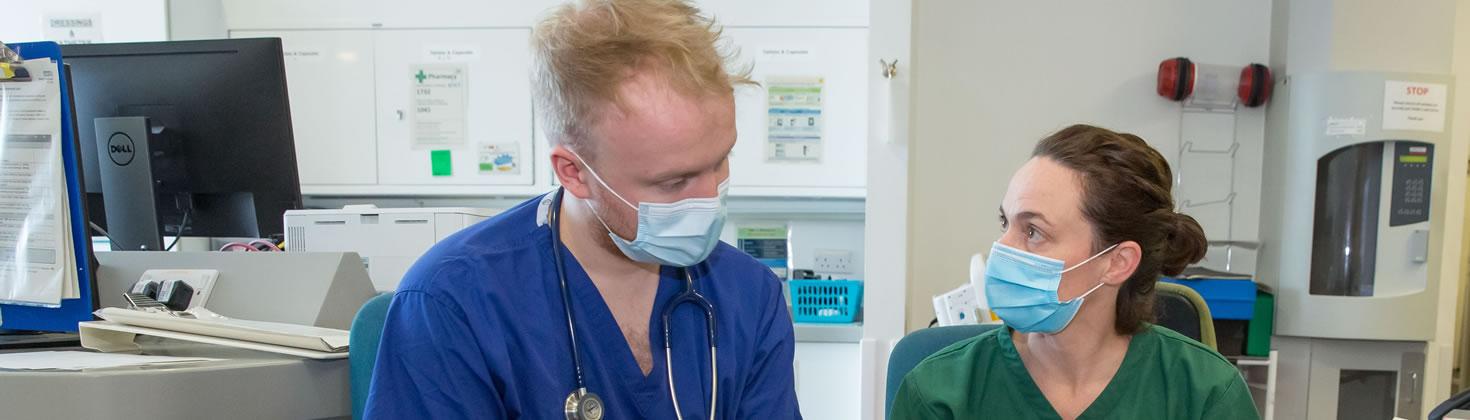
(121, 21)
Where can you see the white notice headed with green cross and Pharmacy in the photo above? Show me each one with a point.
(439, 106)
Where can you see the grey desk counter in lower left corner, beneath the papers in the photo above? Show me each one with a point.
(245, 385)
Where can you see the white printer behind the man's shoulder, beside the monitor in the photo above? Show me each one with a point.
(389, 240)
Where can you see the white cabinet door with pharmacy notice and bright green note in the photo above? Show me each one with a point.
(470, 127)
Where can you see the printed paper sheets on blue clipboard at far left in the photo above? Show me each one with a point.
(37, 258)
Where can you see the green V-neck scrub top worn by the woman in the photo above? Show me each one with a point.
(1165, 375)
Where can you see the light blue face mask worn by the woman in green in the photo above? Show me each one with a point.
(1022, 290)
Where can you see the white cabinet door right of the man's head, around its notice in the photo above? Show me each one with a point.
(836, 61)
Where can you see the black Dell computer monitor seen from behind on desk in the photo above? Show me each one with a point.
(211, 126)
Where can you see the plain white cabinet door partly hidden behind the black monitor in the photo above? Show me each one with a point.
(330, 82)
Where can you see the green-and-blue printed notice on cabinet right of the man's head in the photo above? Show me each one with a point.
(795, 120)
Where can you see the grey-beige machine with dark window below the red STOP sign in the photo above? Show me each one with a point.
(1349, 217)
